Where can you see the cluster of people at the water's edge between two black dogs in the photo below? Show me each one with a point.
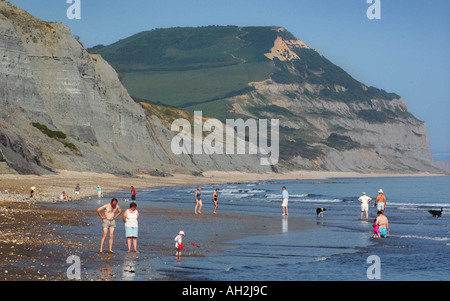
(381, 223)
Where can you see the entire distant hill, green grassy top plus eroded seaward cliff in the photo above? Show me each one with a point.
(328, 119)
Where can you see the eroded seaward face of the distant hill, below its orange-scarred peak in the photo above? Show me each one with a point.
(329, 121)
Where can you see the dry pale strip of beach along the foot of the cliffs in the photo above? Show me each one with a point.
(15, 187)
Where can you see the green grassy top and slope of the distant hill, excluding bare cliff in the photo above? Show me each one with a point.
(185, 67)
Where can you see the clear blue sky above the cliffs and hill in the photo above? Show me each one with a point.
(407, 51)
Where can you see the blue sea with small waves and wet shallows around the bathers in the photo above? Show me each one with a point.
(250, 240)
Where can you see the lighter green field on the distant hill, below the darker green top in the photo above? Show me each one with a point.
(193, 87)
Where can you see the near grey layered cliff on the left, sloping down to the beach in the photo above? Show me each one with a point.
(50, 85)
